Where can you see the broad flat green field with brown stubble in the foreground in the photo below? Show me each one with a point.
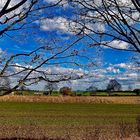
(71, 121)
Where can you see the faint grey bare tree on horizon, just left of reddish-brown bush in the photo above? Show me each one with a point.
(50, 87)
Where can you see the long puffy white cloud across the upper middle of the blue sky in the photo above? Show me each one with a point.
(68, 26)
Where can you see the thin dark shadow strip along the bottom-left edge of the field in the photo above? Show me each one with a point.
(16, 138)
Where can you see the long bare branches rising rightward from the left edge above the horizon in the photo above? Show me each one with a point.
(36, 66)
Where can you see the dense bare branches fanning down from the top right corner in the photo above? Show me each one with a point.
(109, 23)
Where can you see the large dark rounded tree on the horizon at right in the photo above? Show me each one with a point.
(113, 86)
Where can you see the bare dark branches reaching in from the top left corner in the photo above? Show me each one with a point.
(15, 15)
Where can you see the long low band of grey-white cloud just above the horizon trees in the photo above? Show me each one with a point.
(98, 77)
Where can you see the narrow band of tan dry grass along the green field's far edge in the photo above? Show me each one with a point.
(74, 99)
